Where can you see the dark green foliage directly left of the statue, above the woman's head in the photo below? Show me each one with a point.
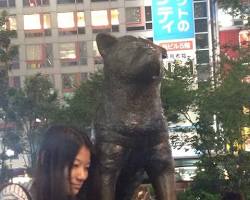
(81, 108)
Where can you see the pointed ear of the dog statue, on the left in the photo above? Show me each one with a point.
(105, 41)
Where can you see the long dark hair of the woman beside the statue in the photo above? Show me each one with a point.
(55, 160)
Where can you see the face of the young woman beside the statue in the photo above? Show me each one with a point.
(79, 171)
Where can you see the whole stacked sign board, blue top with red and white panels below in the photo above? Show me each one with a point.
(173, 27)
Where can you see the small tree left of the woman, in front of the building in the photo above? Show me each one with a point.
(31, 109)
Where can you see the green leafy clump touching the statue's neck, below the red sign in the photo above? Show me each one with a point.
(177, 92)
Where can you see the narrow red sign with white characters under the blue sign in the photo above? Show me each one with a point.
(175, 46)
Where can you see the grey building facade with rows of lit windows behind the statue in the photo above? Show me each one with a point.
(57, 37)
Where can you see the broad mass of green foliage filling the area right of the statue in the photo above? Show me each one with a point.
(221, 125)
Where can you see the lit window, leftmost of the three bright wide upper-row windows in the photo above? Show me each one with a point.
(37, 25)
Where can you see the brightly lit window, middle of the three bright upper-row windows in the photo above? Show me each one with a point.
(71, 23)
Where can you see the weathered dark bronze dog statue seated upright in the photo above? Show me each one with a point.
(131, 131)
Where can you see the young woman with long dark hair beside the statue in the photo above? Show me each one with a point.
(63, 164)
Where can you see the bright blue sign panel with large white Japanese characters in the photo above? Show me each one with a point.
(172, 19)
